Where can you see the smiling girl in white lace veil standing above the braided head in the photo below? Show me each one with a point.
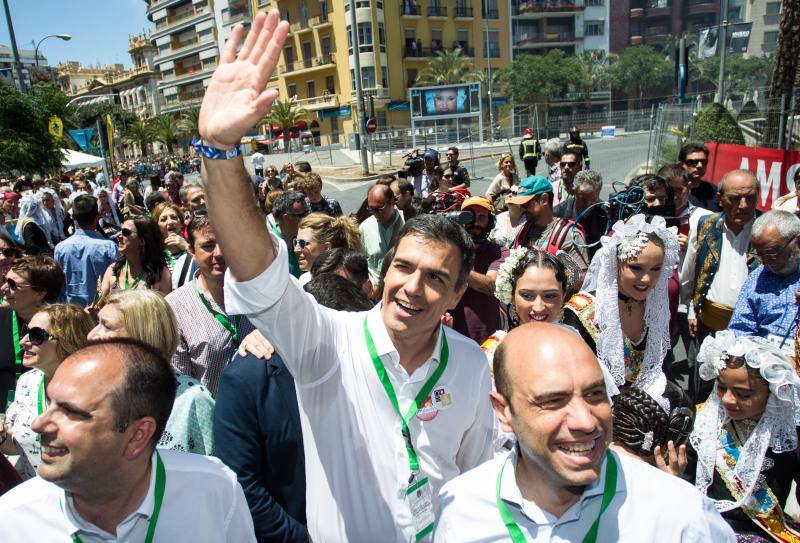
(623, 310)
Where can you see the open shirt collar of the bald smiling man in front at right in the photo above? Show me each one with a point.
(510, 493)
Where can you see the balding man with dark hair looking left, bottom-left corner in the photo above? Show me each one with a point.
(101, 477)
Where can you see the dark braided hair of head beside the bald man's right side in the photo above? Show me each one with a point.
(640, 424)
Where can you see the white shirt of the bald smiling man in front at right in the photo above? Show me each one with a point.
(648, 505)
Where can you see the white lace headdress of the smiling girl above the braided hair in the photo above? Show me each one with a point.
(627, 242)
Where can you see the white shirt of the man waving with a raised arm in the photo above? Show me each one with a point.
(357, 468)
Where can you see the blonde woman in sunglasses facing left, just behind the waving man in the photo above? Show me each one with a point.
(318, 233)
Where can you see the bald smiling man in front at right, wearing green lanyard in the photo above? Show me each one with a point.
(551, 393)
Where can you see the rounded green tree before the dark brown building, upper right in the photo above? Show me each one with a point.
(640, 69)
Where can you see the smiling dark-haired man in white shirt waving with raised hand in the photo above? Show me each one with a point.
(392, 404)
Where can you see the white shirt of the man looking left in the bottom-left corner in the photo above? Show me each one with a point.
(203, 502)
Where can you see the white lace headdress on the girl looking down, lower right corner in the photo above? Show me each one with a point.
(777, 427)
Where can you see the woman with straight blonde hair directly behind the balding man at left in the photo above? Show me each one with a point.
(145, 315)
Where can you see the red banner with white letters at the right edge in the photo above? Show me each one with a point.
(775, 169)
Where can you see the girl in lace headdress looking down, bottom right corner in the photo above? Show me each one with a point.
(745, 435)
